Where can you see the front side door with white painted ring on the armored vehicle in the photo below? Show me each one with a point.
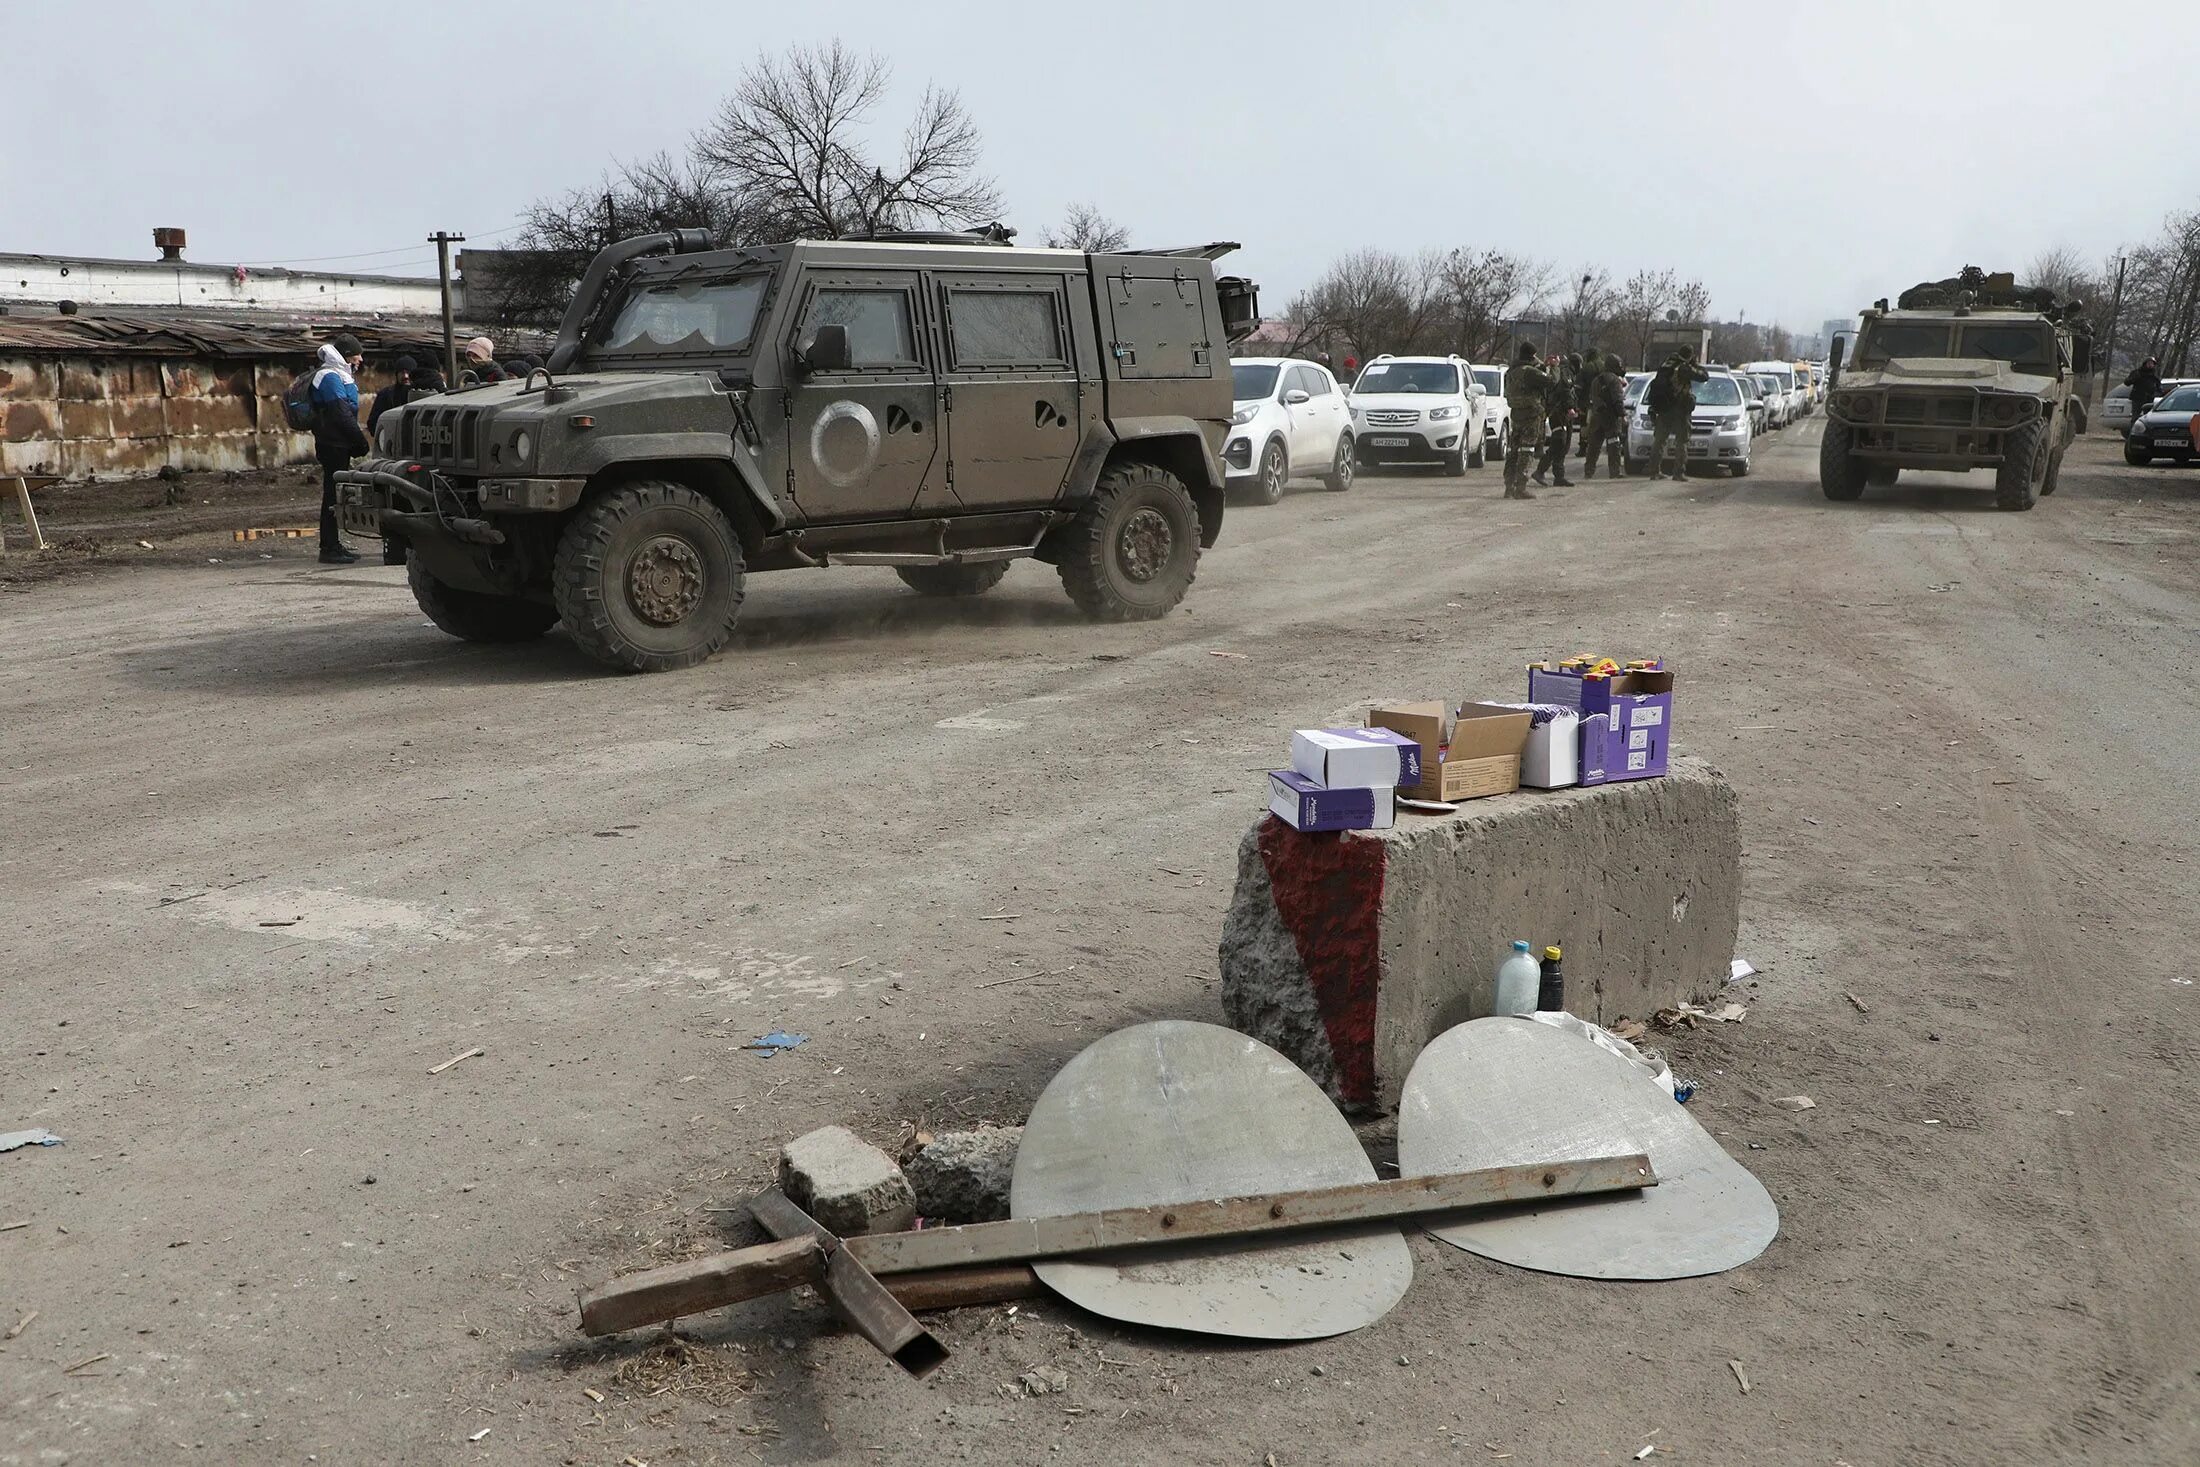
(863, 441)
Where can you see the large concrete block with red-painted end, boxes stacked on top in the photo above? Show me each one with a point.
(1350, 953)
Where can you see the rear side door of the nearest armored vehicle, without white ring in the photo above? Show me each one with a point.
(1013, 395)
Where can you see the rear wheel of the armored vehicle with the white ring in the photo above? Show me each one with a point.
(1134, 547)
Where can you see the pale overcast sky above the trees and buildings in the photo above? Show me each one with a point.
(1796, 157)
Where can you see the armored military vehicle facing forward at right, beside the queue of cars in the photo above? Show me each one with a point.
(1968, 373)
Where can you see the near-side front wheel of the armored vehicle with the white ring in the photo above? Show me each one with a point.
(650, 577)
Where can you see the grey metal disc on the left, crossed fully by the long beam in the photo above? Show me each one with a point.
(1185, 1112)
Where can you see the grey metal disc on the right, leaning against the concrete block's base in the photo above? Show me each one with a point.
(1504, 1092)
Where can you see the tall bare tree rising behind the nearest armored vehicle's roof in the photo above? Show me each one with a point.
(791, 137)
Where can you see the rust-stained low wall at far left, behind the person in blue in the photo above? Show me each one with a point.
(129, 417)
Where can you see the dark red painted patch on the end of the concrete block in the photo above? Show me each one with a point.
(1330, 896)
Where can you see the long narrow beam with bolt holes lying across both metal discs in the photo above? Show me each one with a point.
(1244, 1217)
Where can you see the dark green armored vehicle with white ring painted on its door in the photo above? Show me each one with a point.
(938, 404)
